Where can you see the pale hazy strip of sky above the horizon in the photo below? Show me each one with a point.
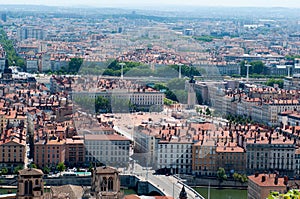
(122, 3)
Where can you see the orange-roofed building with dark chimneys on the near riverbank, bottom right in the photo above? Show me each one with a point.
(260, 185)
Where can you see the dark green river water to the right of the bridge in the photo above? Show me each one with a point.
(222, 193)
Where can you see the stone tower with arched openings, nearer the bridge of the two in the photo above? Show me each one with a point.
(105, 183)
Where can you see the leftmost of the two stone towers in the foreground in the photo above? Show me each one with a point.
(30, 184)
